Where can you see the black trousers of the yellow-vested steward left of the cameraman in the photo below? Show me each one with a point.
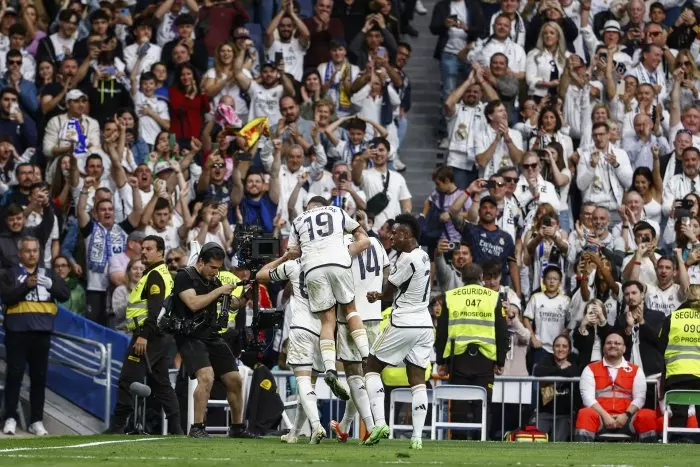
(135, 368)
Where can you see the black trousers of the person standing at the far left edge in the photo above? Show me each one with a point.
(24, 348)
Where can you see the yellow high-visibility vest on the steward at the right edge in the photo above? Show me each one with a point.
(683, 350)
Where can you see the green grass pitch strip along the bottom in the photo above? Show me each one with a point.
(103, 451)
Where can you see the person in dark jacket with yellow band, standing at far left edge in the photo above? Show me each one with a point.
(29, 293)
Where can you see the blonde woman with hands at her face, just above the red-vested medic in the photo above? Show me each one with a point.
(589, 334)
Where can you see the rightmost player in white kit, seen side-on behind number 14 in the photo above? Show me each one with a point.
(409, 335)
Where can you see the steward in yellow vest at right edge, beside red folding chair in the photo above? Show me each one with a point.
(680, 340)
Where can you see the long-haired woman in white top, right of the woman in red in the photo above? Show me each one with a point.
(221, 81)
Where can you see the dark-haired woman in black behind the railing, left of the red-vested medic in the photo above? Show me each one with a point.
(559, 365)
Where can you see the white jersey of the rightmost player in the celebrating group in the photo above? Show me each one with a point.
(411, 277)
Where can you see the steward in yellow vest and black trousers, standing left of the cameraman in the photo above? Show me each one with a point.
(148, 350)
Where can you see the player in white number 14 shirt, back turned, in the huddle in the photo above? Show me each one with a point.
(371, 271)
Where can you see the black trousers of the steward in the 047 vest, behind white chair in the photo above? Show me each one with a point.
(479, 373)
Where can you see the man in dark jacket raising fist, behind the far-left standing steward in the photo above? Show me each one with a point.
(14, 229)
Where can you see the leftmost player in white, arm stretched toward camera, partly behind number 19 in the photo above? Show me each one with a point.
(303, 352)
